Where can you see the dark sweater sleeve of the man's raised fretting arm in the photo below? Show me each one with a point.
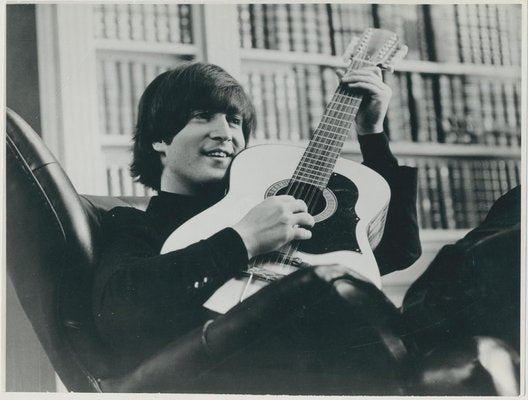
(400, 245)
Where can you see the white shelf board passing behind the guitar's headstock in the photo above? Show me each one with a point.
(274, 56)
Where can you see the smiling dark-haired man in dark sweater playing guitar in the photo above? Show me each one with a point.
(192, 121)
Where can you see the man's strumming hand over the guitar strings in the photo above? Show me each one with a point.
(273, 223)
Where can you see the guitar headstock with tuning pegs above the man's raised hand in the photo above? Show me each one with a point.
(375, 47)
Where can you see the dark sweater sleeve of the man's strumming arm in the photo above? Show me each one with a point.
(139, 292)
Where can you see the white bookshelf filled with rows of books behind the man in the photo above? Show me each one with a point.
(455, 110)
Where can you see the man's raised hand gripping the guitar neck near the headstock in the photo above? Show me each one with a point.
(376, 97)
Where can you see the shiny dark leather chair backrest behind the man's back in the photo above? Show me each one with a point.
(51, 252)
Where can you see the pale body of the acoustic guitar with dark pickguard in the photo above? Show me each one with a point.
(349, 218)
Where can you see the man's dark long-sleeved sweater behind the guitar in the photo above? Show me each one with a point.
(142, 299)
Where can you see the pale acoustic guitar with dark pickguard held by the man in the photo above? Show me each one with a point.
(348, 200)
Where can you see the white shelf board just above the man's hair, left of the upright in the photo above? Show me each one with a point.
(177, 49)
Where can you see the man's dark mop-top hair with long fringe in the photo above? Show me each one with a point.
(166, 107)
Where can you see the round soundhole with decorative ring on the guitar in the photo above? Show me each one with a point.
(321, 204)
